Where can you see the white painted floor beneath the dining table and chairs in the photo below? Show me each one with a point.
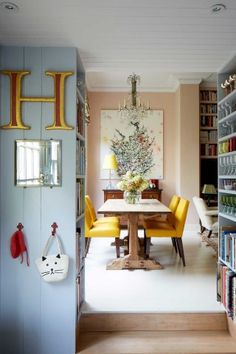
(173, 289)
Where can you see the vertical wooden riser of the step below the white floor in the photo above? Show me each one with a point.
(152, 321)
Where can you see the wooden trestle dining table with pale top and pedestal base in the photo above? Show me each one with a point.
(146, 208)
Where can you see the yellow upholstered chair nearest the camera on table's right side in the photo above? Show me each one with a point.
(173, 229)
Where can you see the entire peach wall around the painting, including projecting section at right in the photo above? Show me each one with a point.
(177, 126)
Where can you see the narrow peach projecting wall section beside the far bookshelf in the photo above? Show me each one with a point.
(188, 145)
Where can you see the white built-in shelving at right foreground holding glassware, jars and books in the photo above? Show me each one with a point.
(226, 279)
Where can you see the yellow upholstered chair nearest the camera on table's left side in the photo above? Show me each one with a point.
(106, 229)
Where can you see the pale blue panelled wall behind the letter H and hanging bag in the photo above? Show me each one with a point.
(37, 317)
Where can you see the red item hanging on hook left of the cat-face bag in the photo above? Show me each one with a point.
(17, 244)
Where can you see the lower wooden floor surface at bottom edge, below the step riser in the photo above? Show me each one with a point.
(161, 342)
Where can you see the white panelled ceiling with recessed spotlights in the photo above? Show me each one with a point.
(165, 41)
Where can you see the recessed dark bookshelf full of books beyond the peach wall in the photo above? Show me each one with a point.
(208, 136)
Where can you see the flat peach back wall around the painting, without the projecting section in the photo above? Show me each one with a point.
(103, 100)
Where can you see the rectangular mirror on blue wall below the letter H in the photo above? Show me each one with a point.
(38, 163)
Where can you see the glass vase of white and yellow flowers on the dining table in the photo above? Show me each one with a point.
(132, 184)
